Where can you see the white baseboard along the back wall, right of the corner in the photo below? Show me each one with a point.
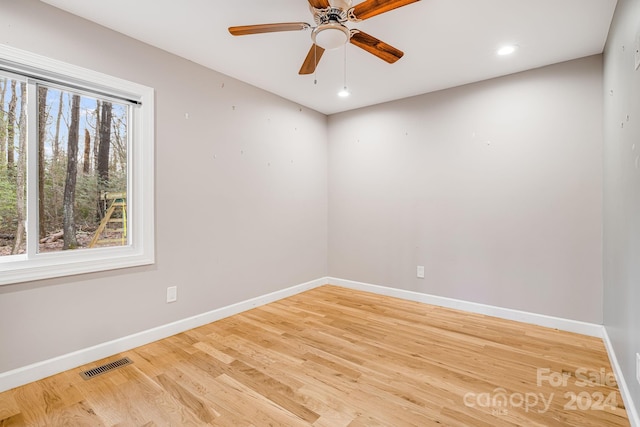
(583, 328)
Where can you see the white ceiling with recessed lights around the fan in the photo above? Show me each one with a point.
(446, 42)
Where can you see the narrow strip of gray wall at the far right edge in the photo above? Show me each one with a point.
(622, 191)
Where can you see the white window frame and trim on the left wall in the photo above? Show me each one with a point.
(141, 158)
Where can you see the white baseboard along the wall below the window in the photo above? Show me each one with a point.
(46, 368)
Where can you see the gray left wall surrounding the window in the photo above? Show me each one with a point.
(230, 226)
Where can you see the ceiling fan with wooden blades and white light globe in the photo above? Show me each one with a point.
(331, 32)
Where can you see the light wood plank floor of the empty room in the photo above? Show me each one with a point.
(335, 357)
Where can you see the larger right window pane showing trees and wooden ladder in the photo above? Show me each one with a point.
(83, 171)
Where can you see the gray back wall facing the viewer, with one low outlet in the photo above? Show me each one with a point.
(494, 187)
